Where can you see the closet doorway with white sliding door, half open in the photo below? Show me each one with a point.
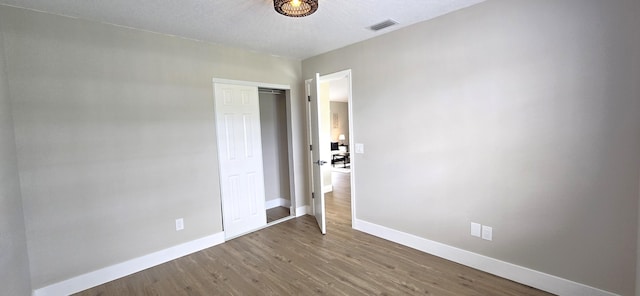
(250, 149)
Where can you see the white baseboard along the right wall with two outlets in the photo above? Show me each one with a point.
(530, 277)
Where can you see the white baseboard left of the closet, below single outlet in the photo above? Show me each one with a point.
(110, 273)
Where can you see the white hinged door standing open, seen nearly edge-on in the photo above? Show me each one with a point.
(316, 163)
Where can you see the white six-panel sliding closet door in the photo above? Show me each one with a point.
(240, 155)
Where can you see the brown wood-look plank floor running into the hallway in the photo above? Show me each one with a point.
(293, 258)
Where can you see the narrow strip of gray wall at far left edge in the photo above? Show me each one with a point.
(14, 264)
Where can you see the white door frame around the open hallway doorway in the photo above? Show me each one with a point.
(346, 74)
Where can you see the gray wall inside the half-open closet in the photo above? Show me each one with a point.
(275, 151)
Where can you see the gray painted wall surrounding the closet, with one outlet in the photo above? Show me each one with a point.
(116, 138)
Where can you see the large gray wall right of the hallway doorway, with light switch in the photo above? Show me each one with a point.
(520, 115)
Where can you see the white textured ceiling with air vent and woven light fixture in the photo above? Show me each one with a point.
(254, 24)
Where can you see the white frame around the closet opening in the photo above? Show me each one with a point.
(287, 90)
